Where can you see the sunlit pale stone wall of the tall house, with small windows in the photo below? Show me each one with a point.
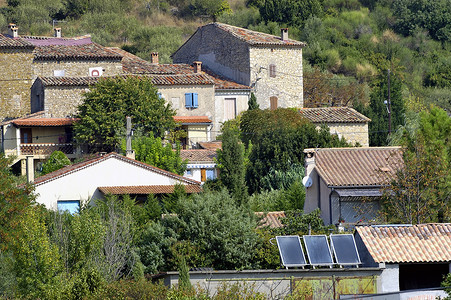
(287, 84)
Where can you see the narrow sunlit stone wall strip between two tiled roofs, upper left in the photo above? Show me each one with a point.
(79, 68)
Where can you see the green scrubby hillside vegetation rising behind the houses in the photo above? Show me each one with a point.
(351, 43)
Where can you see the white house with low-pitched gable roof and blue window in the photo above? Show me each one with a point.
(67, 187)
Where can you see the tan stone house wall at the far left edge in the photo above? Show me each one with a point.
(15, 82)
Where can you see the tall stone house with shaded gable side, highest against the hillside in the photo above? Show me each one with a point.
(271, 65)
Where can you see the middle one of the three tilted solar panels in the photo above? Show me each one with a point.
(318, 250)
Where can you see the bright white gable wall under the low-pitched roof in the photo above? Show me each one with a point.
(82, 185)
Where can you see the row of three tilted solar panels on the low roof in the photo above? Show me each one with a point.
(318, 251)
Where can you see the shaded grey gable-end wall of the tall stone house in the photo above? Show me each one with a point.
(219, 51)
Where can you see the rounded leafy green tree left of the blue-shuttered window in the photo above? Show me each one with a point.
(105, 107)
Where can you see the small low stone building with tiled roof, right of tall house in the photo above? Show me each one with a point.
(345, 122)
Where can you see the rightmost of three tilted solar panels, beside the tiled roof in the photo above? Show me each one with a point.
(345, 250)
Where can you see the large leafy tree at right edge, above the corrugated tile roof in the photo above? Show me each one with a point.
(421, 190)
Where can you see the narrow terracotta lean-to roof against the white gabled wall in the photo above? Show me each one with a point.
(148, 189)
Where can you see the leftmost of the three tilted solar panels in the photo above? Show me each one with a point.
(290, 250)
